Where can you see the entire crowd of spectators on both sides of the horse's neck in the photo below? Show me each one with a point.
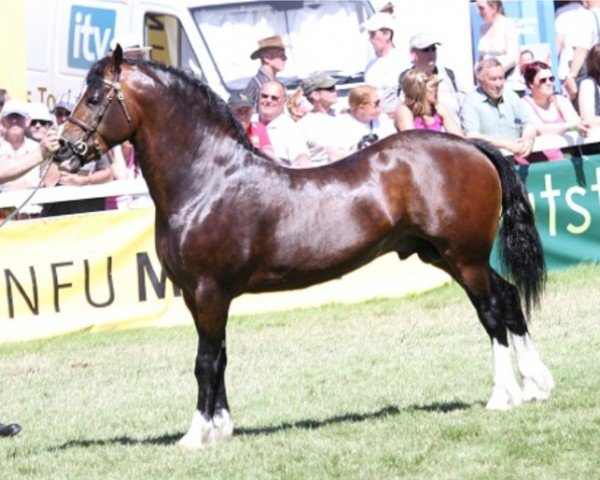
(516, 98)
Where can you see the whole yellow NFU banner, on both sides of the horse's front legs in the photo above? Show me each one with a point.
(100, 270)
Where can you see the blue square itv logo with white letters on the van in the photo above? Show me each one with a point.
(90, 33)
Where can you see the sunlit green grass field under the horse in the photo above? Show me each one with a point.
(391, 388)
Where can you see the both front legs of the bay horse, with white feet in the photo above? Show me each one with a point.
(211, 420)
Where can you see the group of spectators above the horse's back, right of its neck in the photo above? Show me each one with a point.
(516, 98)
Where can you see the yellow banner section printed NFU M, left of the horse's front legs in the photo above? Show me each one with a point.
(72, 273)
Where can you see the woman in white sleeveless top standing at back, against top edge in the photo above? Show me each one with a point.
(498, 36)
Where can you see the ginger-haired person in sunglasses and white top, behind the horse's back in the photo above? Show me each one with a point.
(365, 123)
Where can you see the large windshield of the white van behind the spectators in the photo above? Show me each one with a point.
(321, 36)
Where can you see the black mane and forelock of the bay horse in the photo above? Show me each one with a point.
(217, 108)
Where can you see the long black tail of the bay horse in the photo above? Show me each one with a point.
(520, 246)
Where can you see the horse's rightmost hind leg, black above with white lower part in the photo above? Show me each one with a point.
(536, 377)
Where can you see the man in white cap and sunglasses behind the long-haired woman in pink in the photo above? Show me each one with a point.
(423, 51)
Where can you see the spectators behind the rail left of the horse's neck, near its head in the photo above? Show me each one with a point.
(25, 133)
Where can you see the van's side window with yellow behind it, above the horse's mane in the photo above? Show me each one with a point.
(170, 44)
